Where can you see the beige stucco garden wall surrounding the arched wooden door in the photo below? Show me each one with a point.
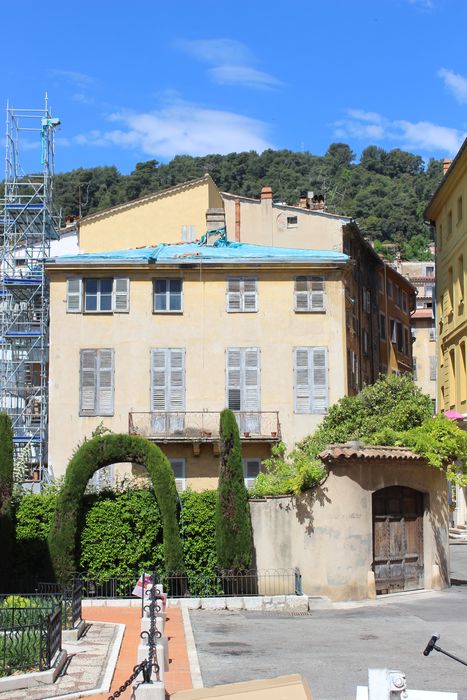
(327, 532)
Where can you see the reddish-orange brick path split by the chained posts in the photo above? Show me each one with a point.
(178, 676)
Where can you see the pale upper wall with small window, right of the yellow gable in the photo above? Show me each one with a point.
(265, 223)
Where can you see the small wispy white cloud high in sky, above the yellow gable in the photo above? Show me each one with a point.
(231, 63)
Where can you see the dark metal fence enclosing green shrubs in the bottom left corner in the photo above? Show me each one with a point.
(30, 634)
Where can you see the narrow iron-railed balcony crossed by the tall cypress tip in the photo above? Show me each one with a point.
(191, 426)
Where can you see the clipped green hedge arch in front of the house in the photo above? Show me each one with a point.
(94, 454)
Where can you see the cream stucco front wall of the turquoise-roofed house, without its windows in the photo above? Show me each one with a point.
(205, 329)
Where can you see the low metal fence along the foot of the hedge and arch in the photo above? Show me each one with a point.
(251, 582)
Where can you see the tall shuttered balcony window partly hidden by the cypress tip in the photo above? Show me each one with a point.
(243, 386)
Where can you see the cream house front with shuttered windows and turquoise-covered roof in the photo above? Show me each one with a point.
(158, 341)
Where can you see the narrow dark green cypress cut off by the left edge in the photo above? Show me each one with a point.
(6, 492)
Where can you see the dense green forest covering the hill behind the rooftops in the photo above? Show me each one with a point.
(386, 192)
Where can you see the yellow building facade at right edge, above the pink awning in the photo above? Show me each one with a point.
(447, 211)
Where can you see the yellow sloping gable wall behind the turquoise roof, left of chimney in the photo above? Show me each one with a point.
(150, 220)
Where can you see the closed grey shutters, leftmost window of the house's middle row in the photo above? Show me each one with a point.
(97, 382)
